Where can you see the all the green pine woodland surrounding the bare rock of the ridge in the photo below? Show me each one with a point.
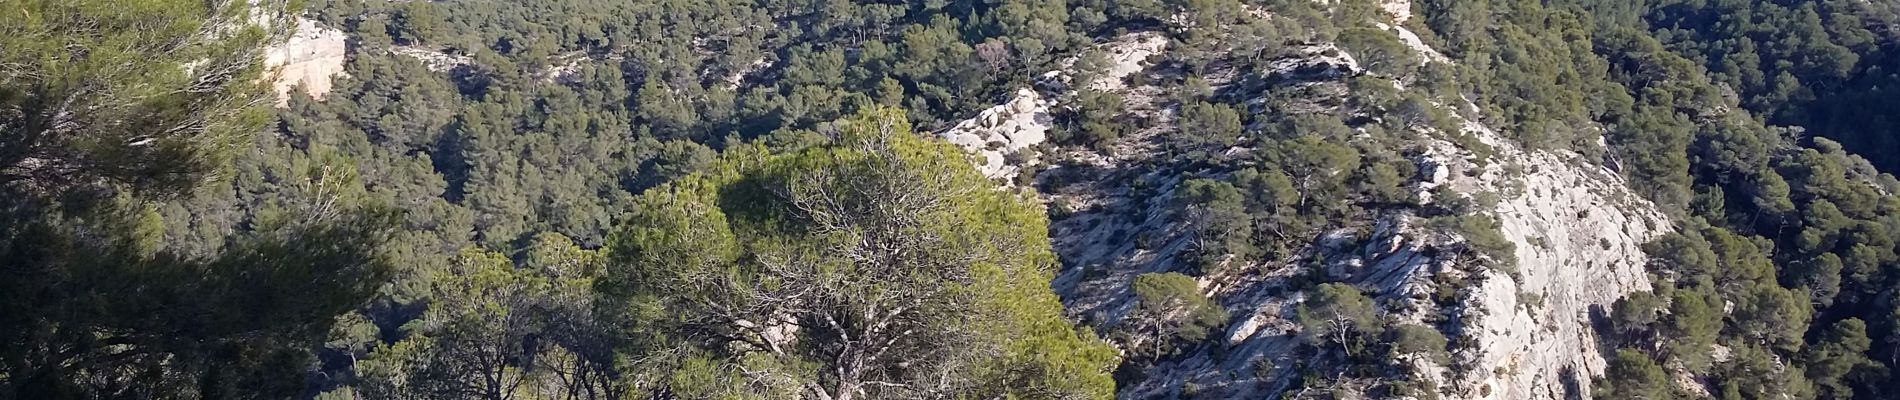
(738, 200)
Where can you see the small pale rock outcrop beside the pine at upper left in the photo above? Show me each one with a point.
(314, 56)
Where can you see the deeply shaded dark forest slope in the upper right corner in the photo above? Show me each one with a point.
(1819, 65)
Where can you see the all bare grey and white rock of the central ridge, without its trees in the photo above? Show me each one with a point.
(1521, 329)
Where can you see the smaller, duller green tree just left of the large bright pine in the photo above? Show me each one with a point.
(510, 331)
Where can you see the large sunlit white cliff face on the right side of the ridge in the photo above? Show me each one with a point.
(1578, 232)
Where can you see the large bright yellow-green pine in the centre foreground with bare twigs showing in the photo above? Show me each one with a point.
(877, 266)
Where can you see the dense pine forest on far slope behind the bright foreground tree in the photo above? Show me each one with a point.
(569, 109)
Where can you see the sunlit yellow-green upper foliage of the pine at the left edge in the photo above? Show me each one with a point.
(100, 92)
